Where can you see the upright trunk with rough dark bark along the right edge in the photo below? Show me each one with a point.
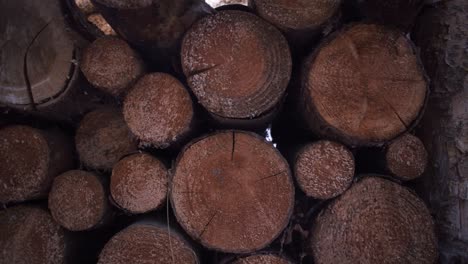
(442, 35)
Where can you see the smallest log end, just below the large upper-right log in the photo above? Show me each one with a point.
(406, 157)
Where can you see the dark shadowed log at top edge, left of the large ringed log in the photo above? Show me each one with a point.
(153, 27)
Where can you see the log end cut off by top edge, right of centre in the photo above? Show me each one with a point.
(296, 15)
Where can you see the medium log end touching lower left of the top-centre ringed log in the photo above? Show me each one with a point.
(159, 110)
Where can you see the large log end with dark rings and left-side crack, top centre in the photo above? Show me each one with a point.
(237, 65)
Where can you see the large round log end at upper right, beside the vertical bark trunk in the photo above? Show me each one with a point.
(364, 86)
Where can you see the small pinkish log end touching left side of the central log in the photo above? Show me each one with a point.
(139, 183)
